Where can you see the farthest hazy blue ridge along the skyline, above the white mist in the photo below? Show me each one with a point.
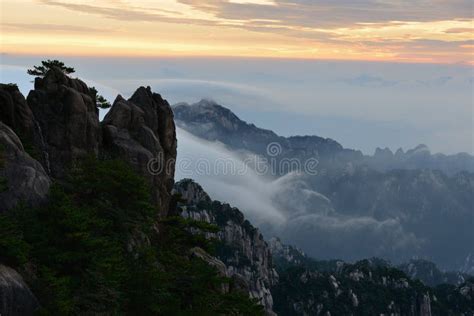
(213, 122)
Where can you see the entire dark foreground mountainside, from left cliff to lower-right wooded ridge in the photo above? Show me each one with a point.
(92, 222)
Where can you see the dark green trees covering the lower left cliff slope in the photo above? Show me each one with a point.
(95, 249)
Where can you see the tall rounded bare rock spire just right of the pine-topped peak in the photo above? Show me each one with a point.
(141, 131)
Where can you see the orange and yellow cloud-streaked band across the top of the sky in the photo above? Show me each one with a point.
(436, 31)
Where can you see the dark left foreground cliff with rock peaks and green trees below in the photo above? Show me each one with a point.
(87, 220)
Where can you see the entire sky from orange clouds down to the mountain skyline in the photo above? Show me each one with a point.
(367, 73)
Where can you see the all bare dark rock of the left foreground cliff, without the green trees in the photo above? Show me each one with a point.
(43, 137)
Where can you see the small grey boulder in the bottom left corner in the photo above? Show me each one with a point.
(15, 296)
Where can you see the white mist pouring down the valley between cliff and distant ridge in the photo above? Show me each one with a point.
(285, 207)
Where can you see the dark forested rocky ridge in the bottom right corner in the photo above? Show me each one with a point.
(368, 287)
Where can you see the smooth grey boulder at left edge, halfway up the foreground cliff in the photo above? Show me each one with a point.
(21, 177)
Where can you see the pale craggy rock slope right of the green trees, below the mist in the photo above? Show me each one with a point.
(243, 250)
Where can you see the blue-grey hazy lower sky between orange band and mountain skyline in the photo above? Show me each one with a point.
(362, 105)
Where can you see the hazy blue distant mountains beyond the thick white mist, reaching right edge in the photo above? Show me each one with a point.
(396, 206)
